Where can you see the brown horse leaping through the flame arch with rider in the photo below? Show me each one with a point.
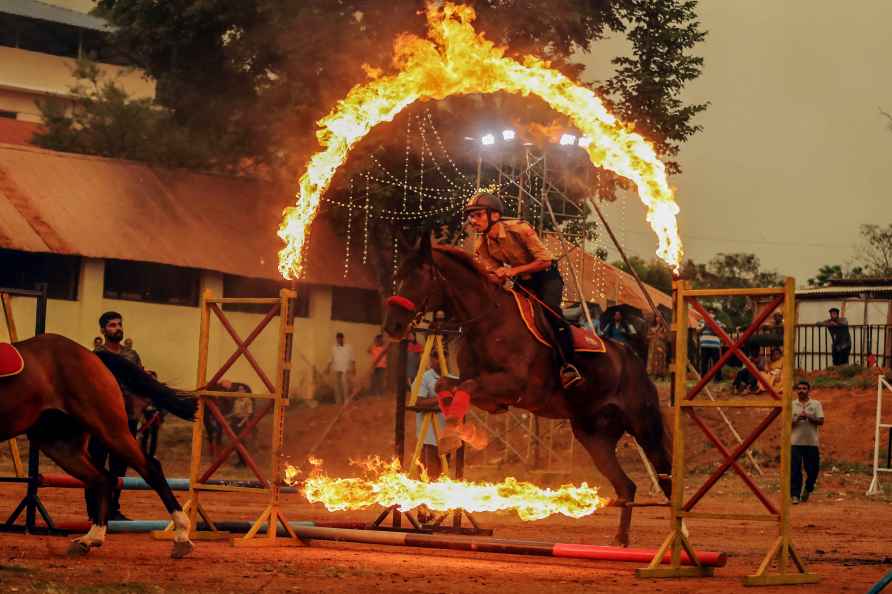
(501, 366)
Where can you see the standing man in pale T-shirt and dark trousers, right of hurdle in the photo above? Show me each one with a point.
(808, 415)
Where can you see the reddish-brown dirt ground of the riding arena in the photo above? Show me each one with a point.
(841, 534)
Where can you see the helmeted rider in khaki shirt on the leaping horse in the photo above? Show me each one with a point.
(511, 248)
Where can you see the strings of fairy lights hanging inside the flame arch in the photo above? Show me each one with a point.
(443, 199)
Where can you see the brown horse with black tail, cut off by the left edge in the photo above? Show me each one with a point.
(66, 394)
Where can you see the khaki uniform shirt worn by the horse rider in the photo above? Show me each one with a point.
(510, 242)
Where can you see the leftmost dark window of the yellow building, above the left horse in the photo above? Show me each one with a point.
(25, 270)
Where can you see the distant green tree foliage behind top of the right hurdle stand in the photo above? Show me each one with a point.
(726, 271)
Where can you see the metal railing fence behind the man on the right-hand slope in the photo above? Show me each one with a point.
(814, 346)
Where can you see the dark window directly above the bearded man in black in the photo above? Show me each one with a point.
(151, 282)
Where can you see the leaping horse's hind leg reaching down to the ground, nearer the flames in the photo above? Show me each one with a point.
(599, 437)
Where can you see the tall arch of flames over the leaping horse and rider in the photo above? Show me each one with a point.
(455, 60)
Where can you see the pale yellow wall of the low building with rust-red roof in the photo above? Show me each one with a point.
(166, 336)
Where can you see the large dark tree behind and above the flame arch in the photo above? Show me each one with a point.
(250, 79)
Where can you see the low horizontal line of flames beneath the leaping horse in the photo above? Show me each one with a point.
(388, 486)
